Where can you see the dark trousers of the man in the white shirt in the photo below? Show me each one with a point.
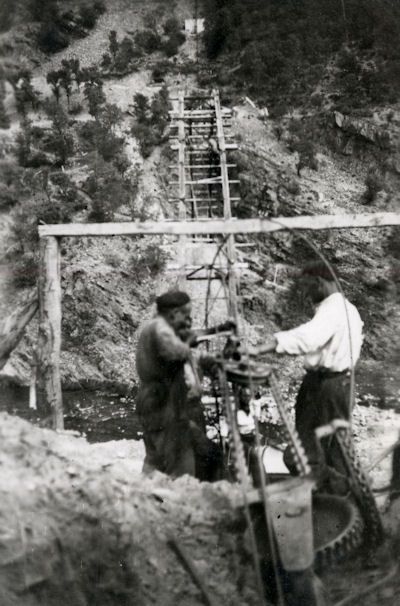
(323, 397)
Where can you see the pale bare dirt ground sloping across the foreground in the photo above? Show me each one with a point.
(80, 525)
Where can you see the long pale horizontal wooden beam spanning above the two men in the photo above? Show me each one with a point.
(221, 226)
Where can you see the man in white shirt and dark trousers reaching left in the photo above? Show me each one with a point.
(331, 343)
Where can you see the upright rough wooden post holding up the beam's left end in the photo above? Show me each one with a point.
(50, 327)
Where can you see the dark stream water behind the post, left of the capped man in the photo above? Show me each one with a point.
(99, 416)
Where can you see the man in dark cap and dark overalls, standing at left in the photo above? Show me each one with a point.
(169, 397)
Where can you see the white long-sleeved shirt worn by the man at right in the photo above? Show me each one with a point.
(325, 338)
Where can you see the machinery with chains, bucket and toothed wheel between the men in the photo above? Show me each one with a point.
(295, 528)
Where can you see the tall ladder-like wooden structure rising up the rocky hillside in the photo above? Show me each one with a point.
(201, 184)
